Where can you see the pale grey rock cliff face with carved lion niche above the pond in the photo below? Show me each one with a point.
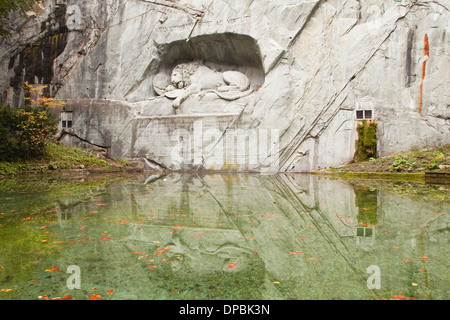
(261, 86)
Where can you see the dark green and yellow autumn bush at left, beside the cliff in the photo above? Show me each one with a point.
(25, 131)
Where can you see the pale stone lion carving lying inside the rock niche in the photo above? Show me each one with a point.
(193, 78)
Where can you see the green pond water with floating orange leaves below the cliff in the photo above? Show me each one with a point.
(223, 236)
